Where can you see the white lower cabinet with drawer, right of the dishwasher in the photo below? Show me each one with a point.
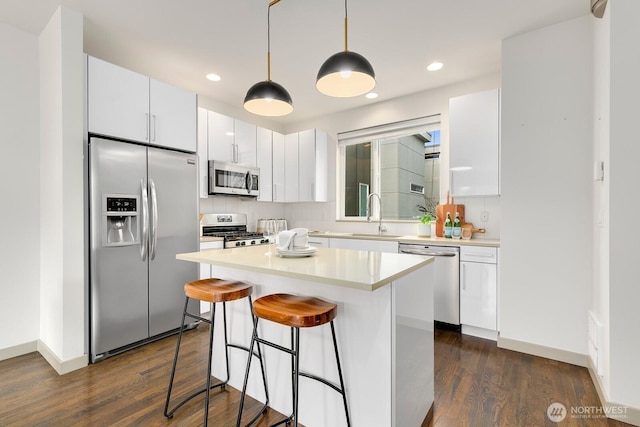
(478, 291)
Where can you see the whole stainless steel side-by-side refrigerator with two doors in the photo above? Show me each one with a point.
(143, 210)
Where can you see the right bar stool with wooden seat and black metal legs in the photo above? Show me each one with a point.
(296, 312)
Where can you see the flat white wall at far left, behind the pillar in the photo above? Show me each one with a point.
(19, 188)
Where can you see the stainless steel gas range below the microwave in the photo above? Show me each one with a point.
(231, 227)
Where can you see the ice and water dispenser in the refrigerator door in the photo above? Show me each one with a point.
(121, 223)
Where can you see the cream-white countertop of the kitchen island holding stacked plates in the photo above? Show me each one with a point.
(365, 270)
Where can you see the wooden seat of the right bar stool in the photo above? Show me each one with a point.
(294, 310)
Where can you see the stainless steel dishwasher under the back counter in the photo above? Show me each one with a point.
(446, 289)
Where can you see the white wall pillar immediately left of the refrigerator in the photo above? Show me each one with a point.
(62, 319)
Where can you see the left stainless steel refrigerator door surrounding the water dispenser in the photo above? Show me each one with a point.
(118, 274)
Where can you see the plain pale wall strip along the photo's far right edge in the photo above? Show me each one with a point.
(624, 174)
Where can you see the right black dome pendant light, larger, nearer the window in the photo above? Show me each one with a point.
(346, 74)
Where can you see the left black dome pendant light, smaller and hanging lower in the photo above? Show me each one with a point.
(268, 98)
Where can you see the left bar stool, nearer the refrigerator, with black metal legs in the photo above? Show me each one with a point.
(214, 291)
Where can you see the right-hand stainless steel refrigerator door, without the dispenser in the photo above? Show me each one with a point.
(173, 199)
